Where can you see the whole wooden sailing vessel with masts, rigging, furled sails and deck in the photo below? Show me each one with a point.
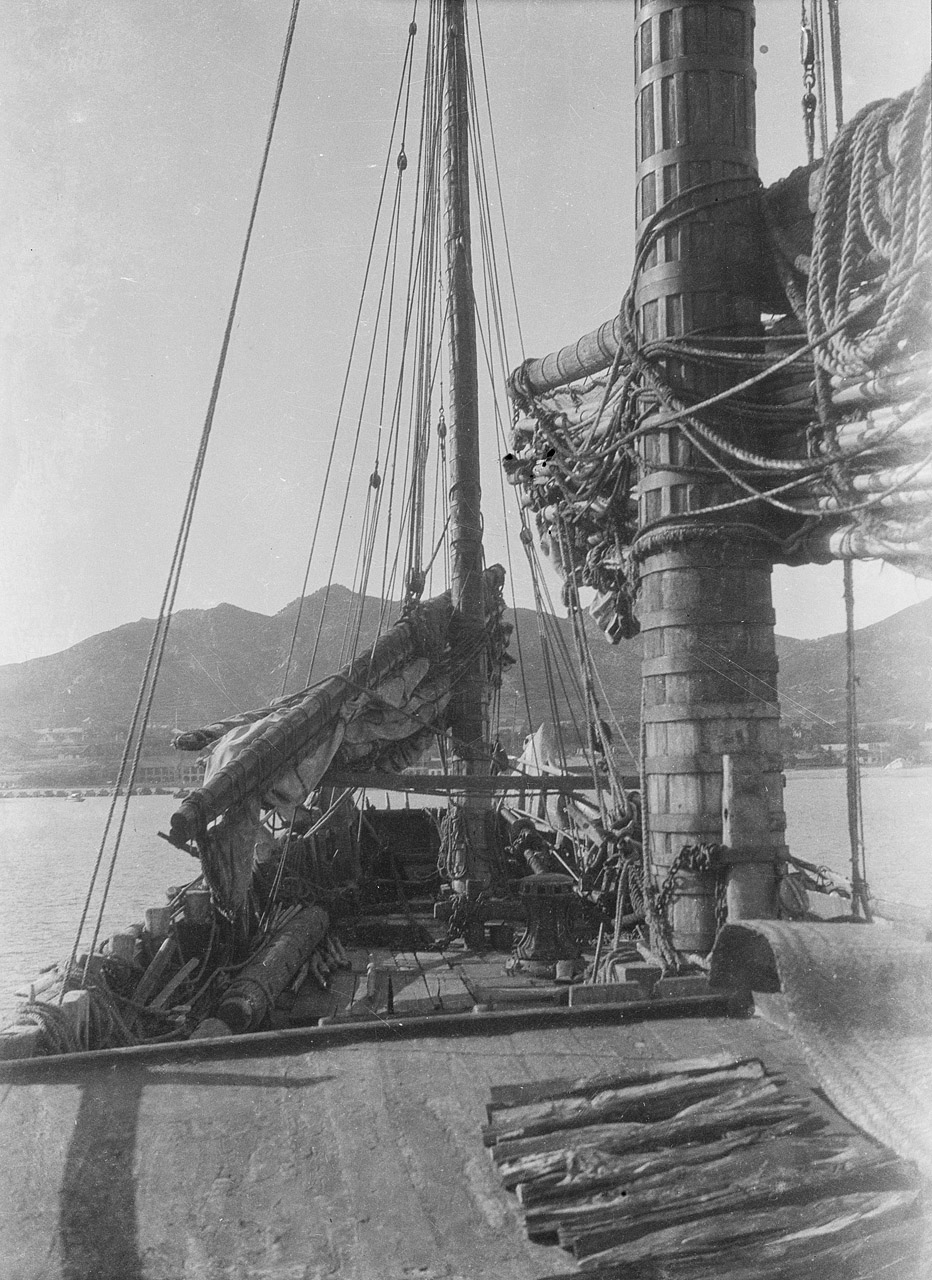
(561, 950)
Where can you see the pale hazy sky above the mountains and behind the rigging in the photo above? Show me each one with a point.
(133, 134)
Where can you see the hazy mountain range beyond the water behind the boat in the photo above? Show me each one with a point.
(225, 660)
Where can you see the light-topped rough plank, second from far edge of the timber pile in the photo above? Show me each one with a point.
(659, 1100)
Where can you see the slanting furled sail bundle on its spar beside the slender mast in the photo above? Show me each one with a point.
(380, 712)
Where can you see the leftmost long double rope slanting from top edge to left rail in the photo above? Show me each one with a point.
(141, 712)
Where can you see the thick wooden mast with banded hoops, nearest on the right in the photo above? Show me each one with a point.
(705, 604)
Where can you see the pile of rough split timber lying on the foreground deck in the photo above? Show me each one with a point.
(702, 1168)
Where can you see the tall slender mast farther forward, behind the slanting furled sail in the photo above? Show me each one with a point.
(469, 706)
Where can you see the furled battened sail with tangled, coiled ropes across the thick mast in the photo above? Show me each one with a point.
(858, 486)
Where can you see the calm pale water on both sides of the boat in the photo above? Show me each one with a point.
(48, 851)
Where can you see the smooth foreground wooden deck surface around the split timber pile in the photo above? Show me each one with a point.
(299, 1160)
